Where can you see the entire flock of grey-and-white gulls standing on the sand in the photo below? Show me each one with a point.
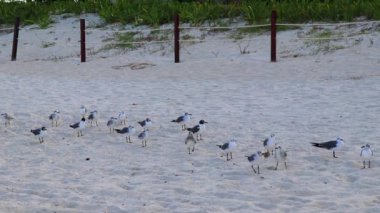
(271, 148)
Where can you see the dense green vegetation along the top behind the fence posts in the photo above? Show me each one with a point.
(156, 12)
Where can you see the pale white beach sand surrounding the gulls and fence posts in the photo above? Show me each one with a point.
(313, 97)
